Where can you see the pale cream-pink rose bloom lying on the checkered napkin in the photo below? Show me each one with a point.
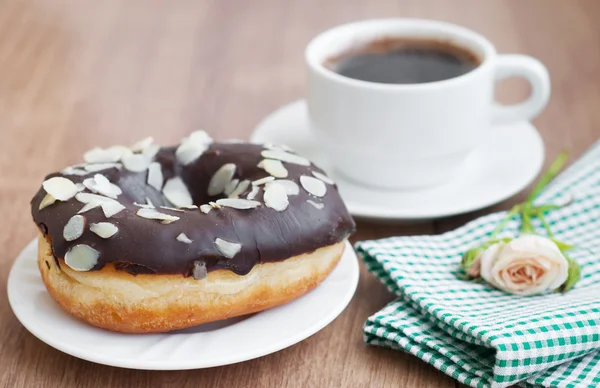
(527, 265)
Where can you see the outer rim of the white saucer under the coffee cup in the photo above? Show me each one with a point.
(368, 212)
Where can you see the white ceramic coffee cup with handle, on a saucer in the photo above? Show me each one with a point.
(412, 135)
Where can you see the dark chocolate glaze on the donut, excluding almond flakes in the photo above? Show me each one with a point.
(147, 246)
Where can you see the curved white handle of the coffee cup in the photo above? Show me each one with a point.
(514, 65)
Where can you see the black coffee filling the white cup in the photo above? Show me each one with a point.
(404, 61)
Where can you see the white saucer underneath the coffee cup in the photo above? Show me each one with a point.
(508, 161)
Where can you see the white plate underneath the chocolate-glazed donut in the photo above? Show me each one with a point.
(219, 343)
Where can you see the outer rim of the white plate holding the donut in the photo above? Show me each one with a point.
(90, 356)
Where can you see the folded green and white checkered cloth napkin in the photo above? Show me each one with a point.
(479, 335)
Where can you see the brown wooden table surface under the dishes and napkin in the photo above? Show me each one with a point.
(77, 74)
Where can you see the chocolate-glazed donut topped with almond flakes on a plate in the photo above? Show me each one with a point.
(146, 239)
